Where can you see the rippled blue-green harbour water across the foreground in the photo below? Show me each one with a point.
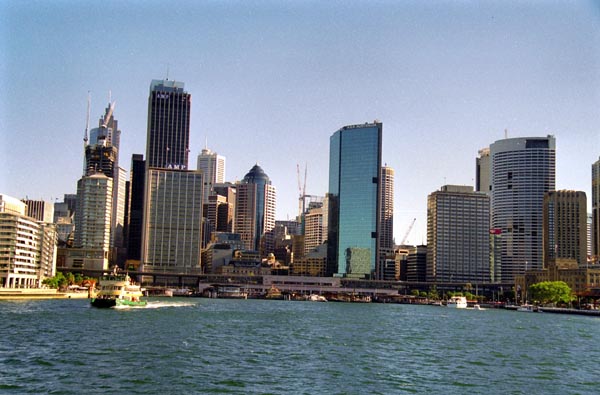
(189, 345)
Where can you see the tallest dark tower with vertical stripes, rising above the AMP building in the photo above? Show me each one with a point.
(167, 145)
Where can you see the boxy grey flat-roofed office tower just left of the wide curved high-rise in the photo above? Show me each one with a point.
(458, 223)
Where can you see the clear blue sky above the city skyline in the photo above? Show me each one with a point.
(272, 81)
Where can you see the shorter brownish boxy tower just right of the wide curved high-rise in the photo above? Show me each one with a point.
(565, 227)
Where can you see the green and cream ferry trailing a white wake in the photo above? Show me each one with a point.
(117, 290)
